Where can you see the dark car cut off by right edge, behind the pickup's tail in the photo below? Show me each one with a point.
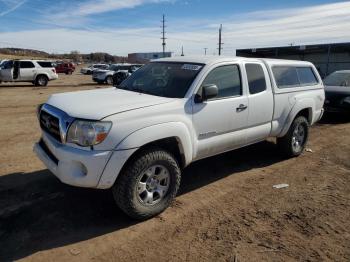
(337, 87)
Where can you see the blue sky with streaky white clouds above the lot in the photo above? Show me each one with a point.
(120, 27)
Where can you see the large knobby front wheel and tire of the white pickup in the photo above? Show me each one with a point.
(137, 193)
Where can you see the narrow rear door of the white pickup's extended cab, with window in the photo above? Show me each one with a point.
(261, 104)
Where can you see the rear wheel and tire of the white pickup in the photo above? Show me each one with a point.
(293, 143)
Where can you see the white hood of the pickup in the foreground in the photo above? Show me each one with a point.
(98, 104)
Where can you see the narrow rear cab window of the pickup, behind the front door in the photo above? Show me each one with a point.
(256, 78)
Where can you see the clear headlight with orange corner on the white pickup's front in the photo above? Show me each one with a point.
(88, 133)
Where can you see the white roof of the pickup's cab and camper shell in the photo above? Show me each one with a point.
(217, 59)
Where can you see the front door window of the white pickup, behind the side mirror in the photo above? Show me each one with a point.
(227, 79)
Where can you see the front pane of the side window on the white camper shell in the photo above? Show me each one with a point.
(286, 76)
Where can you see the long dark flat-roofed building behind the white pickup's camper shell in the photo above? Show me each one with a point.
(326, 57)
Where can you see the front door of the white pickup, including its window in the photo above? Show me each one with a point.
(220, 122)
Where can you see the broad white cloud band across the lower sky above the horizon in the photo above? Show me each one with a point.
(307, 25)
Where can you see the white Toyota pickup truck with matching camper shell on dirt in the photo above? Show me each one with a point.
(136, 138)
